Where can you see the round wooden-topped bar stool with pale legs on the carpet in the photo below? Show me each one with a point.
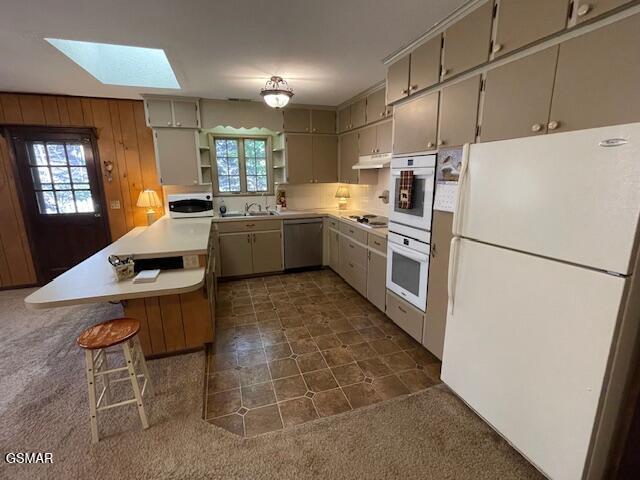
(95, 341)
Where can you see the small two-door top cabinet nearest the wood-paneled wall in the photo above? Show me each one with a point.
(172, 112)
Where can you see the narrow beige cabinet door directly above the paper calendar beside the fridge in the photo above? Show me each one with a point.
(458, 112)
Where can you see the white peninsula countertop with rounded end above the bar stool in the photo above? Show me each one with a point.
(93, 280)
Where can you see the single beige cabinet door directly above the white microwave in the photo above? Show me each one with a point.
(177, 156)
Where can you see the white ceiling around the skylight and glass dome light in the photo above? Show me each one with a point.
(328, 50)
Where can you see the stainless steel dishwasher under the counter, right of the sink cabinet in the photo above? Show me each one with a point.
(302, 243)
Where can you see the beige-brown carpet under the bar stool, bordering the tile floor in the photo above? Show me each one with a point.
(43, 407)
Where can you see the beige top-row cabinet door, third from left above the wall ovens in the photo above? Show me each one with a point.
(466, 42)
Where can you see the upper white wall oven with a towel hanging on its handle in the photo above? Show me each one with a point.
(423, 168)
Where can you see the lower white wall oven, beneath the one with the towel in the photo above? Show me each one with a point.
(408, 268)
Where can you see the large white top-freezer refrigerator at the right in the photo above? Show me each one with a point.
(544, 237)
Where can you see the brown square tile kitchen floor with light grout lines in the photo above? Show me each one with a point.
(296, 347)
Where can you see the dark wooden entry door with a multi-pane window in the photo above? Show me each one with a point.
(62, 196)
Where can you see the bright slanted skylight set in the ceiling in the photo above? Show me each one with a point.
(120, 64)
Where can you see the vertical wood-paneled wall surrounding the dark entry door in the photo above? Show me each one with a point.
(123, 139)
